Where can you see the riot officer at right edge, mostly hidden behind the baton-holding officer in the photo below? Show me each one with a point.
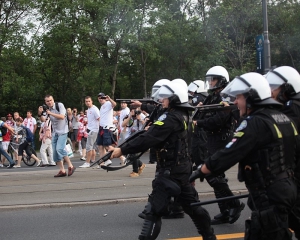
(285, 86)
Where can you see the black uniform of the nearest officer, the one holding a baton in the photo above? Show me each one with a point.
(264, 146)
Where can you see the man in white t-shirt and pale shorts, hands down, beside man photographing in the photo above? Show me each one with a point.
(93, 119)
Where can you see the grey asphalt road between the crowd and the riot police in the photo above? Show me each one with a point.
(35, 205)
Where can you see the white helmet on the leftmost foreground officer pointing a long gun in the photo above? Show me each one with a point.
(177, 95)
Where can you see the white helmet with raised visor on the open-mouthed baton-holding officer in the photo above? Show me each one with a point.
(253, 86)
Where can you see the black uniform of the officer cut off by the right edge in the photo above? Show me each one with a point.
(292, 110)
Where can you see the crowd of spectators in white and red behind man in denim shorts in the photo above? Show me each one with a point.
(91, 131)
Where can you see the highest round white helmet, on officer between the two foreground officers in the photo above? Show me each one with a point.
(219, 73)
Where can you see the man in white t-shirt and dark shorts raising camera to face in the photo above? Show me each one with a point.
(105, 137)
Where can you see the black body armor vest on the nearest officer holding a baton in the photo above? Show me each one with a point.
(275, 159)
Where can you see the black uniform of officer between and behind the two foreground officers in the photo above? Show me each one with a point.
(219, 128)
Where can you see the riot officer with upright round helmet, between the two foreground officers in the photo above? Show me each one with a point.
(219, 128)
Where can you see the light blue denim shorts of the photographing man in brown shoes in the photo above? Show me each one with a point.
(58, 146)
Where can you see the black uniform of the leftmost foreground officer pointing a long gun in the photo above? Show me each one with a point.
(168, 136)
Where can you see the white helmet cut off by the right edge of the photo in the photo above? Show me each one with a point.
(288, 79)
